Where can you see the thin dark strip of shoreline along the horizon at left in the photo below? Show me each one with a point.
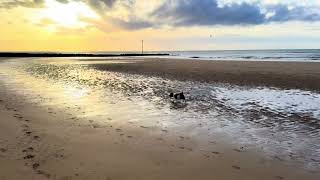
(9, 54)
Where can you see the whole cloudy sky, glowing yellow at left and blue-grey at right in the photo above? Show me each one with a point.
(167, 25)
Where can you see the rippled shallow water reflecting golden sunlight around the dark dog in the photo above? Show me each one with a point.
(284, 124)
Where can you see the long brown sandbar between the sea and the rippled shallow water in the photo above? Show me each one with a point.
(298, 75)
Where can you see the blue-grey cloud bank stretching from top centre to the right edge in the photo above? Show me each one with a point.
(208, 12)
